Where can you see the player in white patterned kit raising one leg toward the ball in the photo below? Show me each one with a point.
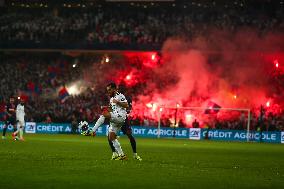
(116, 114)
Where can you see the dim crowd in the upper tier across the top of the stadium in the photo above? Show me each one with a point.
(106, 25)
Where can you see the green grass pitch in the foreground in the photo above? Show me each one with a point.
(74, 161)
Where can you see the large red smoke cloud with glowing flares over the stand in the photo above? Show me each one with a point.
(235, 70)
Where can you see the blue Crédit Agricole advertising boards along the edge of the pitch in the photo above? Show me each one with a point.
(165, 132)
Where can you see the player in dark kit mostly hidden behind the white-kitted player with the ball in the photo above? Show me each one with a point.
(126, 129)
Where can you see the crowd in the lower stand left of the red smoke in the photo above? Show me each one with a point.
(38, 80)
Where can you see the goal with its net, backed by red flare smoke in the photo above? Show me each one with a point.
(205, 118)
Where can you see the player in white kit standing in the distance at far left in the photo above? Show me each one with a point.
(20, 117)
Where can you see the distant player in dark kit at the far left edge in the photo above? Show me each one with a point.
(10, 116)
